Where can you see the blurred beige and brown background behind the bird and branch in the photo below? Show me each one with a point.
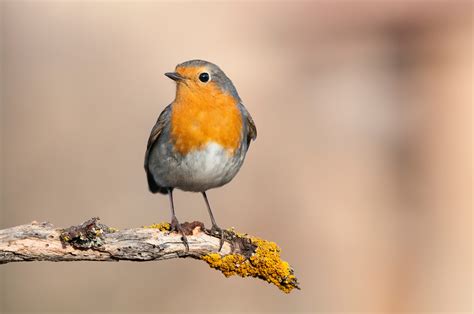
(361, 171)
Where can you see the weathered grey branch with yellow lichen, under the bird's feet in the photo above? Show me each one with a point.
(92, 241)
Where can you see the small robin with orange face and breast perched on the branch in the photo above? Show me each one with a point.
(200, 140)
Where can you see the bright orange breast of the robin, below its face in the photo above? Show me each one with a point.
(198, 118)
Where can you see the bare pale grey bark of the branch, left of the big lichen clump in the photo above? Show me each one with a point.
(97, 242)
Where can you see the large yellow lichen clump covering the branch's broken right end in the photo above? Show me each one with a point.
(264, 263)
